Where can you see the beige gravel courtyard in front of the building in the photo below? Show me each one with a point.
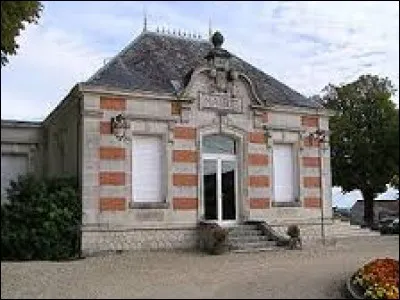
(316, 272)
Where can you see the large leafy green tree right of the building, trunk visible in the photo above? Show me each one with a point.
(364, 137)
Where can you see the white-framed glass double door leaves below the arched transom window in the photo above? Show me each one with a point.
(219, 187)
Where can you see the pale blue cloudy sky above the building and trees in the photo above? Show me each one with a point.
(303, 44)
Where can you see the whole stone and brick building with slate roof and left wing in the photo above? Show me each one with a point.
(177, 130)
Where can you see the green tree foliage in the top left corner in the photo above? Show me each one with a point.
(14, 16)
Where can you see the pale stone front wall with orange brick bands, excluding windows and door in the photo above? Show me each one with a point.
(182, 135)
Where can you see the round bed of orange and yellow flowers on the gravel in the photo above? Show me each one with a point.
(379, 279)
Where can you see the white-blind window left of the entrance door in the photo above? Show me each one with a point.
(147, 169)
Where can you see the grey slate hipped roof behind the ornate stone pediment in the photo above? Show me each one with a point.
(159, 63)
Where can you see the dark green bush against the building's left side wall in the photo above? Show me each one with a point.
(41, 219)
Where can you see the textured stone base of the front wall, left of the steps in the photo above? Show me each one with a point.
(95, 241)
